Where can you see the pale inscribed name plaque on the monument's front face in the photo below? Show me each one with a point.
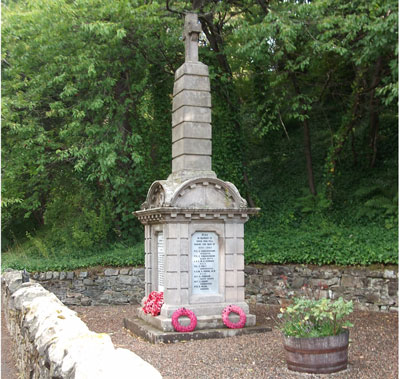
(205, 263)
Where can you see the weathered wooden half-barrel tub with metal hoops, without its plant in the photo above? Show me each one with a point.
(321, 355)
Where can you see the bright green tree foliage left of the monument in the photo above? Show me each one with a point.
(79, 98)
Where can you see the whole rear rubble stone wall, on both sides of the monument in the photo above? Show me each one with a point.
(370, 289)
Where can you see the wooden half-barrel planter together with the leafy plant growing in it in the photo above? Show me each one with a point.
(315, 335)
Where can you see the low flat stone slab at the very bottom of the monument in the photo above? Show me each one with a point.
(150, 333)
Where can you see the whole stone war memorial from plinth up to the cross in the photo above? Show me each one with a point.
(194, 222)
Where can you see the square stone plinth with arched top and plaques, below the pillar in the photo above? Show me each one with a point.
(201, 222)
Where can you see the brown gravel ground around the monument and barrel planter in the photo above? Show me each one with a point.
(373, 350)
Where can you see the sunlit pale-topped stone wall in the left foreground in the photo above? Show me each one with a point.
(52, 342)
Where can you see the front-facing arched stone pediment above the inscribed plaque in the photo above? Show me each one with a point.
(207, 193)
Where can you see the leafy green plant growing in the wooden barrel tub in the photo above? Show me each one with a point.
(307, 317)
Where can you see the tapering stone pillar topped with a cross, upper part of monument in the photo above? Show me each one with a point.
(191, 110)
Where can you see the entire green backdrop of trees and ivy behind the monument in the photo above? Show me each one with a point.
(86, 103)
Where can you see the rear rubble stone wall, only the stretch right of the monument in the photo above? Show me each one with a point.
(372, 289)
